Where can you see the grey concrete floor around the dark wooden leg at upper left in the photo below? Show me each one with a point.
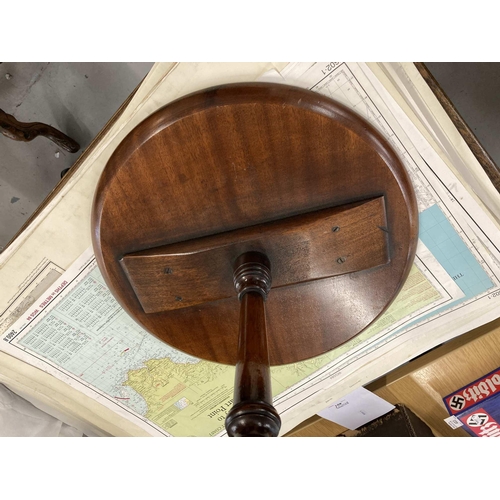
(76, 98)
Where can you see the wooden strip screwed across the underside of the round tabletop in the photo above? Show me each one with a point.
(313, 246)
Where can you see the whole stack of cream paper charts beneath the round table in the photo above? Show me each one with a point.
(66, 339)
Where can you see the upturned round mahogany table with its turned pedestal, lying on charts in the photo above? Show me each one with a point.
(256, 225)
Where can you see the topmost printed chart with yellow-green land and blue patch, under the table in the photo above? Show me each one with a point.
(78, 333)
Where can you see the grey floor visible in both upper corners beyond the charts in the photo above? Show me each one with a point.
(79, 98)
